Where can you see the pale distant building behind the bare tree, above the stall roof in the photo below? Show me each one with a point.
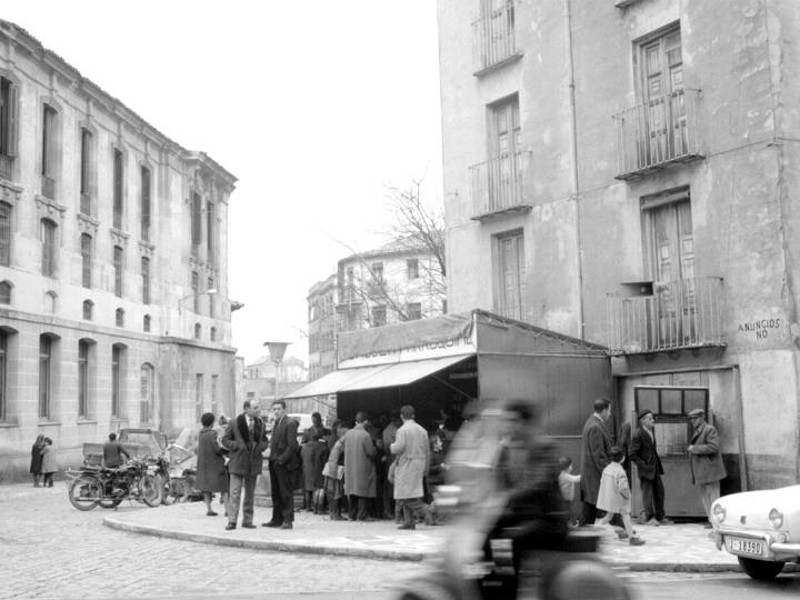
(400, 281)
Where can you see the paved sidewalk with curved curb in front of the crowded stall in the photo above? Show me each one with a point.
(682, 547)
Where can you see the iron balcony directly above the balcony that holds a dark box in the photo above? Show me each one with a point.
(657, 133)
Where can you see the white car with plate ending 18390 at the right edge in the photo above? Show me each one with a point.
(761, 528)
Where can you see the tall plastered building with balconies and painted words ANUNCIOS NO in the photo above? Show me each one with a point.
(622, 172)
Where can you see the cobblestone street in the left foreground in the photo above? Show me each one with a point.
(50, 550)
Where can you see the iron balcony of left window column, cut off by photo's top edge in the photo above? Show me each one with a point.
(494, 39)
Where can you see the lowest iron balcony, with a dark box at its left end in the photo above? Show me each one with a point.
(675, 315)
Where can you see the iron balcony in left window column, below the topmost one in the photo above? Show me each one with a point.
(501, 186)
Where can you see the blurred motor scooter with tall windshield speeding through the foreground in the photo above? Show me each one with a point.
(477, 562)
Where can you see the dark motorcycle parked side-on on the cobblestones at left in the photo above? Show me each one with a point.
(92, 486)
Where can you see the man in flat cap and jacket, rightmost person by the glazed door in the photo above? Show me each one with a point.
(706, 460)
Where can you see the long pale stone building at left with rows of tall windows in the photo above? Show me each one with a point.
(113, 263)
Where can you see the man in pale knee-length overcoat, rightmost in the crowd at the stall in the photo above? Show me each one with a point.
(412, 457)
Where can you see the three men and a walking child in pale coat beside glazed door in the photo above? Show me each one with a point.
(605, 481)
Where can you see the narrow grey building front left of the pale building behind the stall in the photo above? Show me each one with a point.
(322, 328)
